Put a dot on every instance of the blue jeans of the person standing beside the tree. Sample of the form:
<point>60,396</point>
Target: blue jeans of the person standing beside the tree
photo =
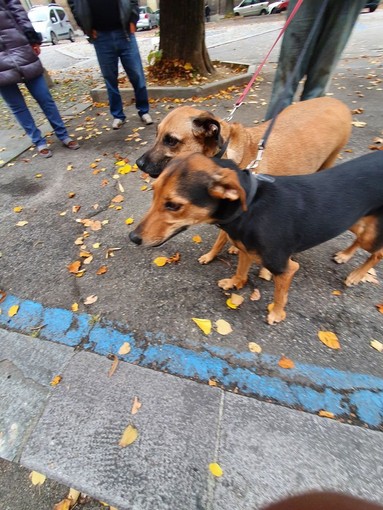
<point>111,46</point>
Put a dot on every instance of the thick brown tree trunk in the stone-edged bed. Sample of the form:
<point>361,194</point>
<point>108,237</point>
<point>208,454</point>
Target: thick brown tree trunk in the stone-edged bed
<point>182,34</point>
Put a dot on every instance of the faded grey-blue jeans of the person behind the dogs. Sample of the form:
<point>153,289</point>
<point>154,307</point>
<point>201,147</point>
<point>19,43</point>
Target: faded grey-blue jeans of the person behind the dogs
<point>321,57</point>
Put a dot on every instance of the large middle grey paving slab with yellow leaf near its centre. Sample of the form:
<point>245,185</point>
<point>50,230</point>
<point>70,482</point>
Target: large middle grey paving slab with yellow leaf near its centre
<point>76,440</point>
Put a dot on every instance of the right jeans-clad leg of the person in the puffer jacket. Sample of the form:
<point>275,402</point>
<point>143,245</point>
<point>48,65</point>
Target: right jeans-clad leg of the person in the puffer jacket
<point>39,90</point>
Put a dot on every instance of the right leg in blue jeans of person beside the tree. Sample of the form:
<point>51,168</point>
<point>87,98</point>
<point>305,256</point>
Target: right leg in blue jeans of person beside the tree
<point>131,62</point>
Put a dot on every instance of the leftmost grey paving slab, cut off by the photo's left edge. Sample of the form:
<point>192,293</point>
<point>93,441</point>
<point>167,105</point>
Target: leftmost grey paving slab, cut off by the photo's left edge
<point>27,366</point>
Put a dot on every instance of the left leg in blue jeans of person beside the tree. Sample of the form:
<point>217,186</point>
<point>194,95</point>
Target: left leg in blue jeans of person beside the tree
<point>107,55</point>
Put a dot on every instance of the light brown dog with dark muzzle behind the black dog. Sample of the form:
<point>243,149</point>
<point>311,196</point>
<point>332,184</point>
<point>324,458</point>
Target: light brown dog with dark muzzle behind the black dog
<point>306,137</point>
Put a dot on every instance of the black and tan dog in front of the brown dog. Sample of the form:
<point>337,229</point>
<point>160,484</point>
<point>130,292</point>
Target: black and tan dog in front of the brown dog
<point>271,218</point>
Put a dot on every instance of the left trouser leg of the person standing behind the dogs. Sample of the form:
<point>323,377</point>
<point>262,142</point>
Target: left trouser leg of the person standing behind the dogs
<point>292,43</point>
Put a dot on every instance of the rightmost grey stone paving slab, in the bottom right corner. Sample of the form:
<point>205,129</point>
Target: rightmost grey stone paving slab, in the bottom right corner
<point>268,453</point>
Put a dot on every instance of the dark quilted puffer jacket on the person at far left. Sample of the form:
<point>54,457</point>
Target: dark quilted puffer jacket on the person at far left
<point>18,61</point>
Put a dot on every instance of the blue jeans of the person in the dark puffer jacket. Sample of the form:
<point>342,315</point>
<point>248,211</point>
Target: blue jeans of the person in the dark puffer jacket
<point>39,90</point>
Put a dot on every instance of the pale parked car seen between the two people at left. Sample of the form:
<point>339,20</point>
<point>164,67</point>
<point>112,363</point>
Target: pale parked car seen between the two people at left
<point>52,23</point>
